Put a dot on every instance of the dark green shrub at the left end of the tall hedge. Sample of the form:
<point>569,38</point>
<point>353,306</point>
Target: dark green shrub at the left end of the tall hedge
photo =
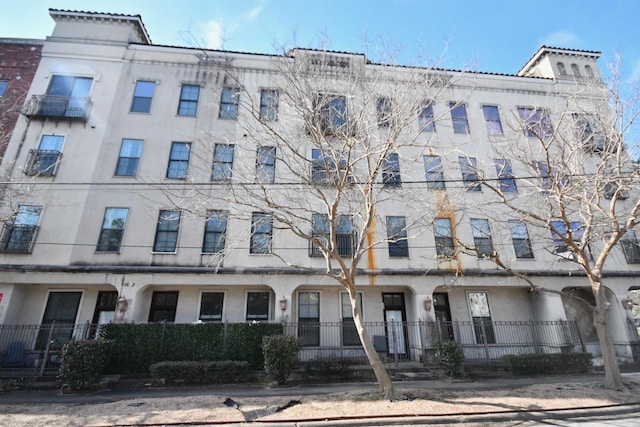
<point>83,363</point>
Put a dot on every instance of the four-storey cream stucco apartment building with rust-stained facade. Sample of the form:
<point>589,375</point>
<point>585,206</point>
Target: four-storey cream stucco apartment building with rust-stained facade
<point>136,168</point>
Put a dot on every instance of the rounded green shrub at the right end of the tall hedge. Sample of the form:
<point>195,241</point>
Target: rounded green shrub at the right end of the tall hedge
<point>280,356</point>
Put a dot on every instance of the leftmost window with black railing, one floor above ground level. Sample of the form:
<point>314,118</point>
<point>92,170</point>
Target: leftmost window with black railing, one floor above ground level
<point>20,236</point>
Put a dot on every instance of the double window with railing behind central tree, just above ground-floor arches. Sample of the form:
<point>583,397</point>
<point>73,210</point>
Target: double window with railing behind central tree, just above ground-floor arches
<point>321,231</point>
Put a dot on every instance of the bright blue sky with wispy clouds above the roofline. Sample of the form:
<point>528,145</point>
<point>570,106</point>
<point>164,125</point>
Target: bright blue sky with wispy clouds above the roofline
<point>495,36</point>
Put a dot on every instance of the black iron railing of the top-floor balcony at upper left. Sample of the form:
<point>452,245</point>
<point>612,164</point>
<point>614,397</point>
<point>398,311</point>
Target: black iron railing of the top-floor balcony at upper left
<point>58,107</point>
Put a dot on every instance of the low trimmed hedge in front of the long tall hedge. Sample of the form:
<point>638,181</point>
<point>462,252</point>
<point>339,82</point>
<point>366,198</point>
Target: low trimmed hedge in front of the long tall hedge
<point>200,372</point>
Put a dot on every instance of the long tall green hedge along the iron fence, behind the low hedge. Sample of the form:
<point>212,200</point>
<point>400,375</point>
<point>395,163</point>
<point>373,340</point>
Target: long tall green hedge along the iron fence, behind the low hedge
<point>137,346</point>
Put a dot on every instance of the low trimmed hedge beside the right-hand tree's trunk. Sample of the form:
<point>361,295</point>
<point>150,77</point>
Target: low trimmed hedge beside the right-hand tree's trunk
<point>545,364</point>
